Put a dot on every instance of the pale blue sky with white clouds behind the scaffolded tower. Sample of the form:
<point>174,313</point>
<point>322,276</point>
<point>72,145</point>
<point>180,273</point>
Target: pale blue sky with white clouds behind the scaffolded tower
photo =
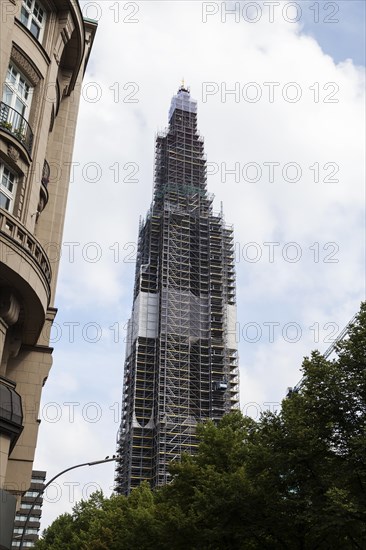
<point>280,92</point>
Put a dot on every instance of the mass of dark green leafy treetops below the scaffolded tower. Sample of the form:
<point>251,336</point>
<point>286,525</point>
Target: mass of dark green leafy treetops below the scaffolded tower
<point>292,480</point>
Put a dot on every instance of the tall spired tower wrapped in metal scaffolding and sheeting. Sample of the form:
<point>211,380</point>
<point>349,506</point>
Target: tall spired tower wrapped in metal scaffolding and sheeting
<point>181,357</point>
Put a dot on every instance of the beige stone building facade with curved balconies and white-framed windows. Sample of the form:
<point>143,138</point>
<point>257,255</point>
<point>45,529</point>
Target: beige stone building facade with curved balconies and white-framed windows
<point>36,150</point>
